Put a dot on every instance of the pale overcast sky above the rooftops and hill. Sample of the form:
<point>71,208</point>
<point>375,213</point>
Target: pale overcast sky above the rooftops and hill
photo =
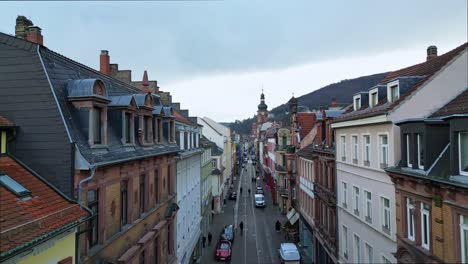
<point>214,56</point>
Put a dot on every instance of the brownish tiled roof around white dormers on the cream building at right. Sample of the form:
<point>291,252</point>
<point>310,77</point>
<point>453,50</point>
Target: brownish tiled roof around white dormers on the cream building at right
<point>420,72</point>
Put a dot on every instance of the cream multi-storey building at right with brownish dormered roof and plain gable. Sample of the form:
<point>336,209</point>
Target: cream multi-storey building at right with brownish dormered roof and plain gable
<point>368,141</point>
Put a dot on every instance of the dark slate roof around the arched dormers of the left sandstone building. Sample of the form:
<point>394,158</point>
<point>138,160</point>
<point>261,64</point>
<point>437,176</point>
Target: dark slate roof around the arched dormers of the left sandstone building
<point>60,71</point>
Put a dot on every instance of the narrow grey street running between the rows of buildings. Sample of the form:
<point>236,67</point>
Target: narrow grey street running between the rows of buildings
<point>260,241</point>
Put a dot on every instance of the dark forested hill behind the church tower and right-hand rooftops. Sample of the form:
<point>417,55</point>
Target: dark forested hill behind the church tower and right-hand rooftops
<point>343,91</point>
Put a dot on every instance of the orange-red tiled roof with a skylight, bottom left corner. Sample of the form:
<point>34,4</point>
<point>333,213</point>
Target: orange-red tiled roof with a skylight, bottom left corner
<point>26,221</point>
